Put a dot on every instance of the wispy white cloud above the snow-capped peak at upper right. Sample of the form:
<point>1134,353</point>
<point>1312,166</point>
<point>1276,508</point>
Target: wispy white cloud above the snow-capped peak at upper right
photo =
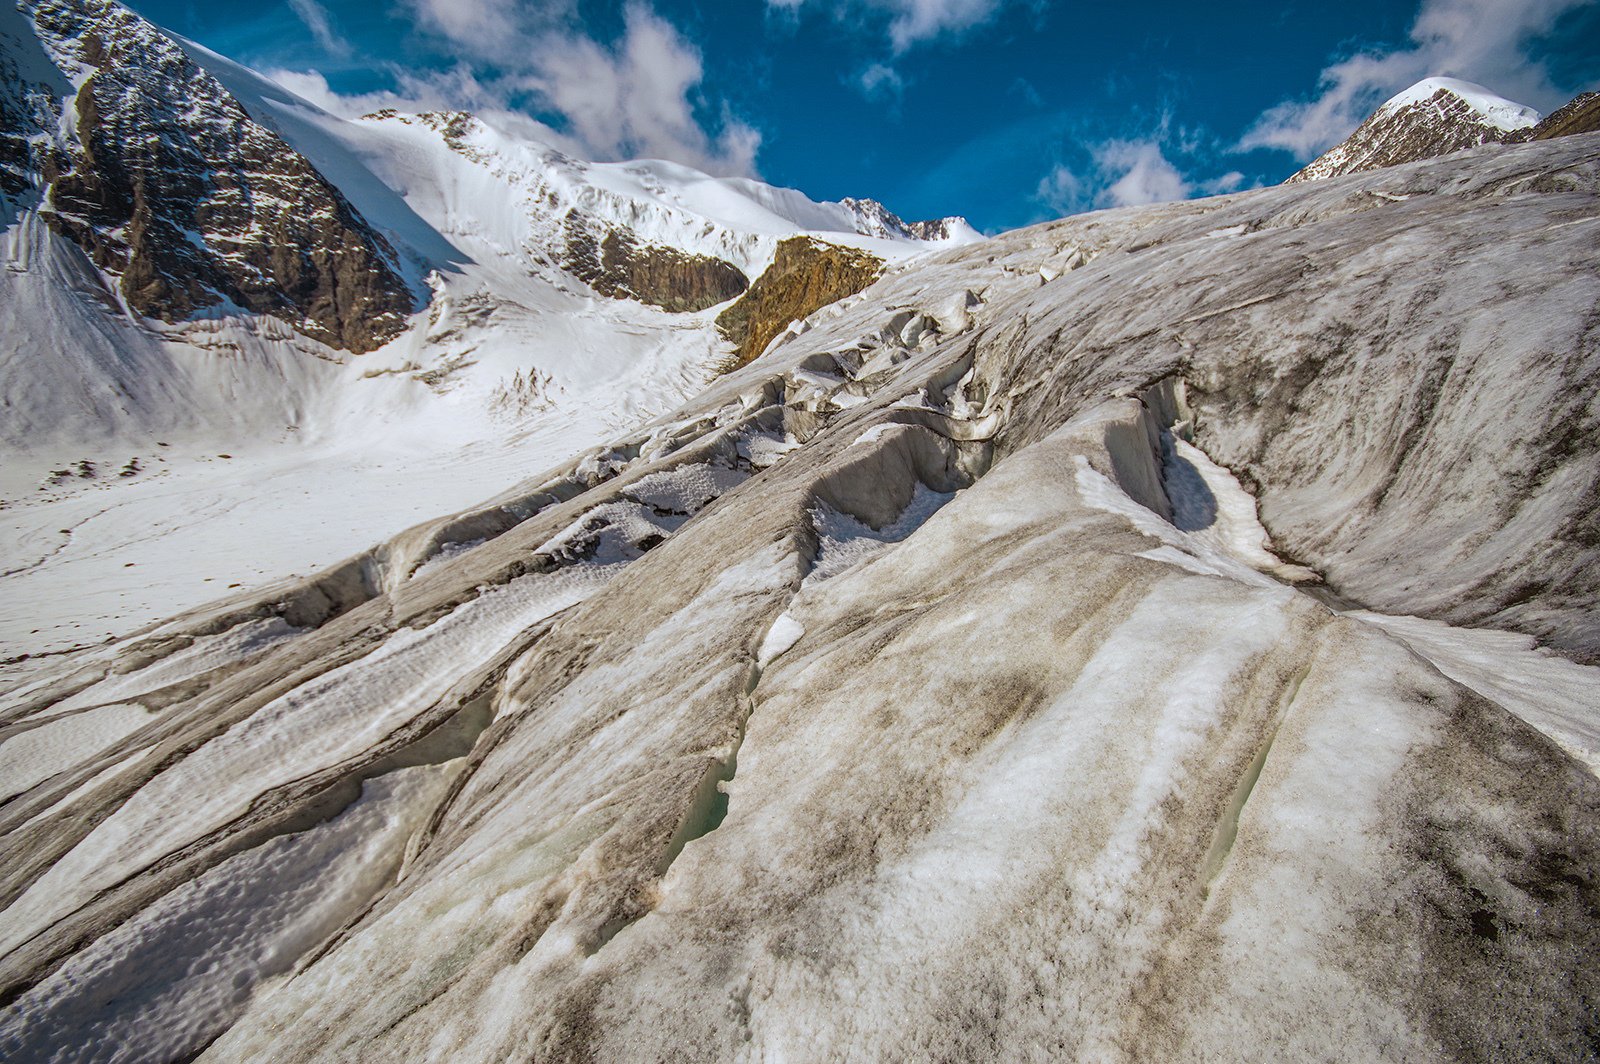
<point>1476,41</point>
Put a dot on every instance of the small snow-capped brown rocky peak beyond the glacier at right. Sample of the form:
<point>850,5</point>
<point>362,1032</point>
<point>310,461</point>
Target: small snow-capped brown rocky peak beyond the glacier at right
<point>1439,116</point>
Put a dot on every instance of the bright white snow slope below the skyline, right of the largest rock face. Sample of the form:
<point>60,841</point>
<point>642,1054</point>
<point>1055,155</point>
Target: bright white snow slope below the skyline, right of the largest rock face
<point>502,196</point>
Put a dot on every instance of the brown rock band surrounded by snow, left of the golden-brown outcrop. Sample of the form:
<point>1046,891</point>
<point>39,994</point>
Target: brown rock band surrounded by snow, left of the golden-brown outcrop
<point>620,266</point>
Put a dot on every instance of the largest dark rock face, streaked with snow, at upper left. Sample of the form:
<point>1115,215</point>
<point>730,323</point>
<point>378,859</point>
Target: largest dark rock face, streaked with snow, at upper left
<point>174,190</point>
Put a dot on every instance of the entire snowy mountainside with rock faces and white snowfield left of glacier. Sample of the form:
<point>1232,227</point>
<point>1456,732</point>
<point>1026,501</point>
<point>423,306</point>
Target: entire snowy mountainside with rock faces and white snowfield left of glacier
<point>209,282</point>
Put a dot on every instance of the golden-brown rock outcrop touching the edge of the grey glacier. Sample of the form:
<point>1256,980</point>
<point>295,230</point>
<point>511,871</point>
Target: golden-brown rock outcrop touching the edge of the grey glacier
<point>806,276</point>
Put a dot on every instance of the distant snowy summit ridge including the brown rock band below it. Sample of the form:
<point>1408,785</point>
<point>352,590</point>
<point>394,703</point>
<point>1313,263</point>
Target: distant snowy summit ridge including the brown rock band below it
<point>652,231</point>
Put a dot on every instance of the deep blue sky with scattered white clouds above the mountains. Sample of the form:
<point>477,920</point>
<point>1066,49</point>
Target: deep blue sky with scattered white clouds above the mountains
<point>1004,111</point>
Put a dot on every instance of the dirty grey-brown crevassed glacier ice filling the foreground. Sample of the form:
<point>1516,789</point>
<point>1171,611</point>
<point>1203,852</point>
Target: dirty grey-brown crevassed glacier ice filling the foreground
<point>919,694</point>
